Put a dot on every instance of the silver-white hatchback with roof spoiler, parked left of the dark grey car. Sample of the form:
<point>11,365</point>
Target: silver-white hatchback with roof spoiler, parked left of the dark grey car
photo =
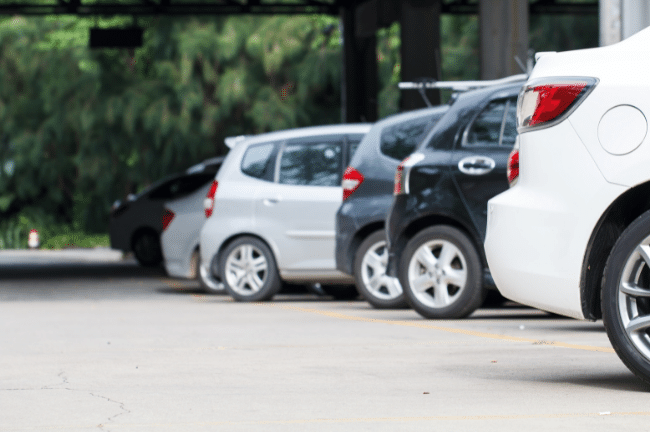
<point>271,212</point>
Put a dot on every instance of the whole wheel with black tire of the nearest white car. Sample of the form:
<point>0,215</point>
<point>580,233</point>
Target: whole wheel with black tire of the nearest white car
<point>625,297</point>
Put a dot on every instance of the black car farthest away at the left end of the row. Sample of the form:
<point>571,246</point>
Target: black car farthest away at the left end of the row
<point>135,224</point>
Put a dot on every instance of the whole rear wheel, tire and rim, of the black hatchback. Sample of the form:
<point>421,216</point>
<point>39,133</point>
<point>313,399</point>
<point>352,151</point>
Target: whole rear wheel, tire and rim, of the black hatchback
<point>441,273</point>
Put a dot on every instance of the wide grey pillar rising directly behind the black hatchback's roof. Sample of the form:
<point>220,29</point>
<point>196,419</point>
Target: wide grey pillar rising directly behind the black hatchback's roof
<point>503,35</point>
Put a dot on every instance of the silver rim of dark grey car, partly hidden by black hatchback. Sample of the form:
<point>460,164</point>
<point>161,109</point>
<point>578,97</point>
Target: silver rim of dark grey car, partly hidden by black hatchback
<point>373,273</point>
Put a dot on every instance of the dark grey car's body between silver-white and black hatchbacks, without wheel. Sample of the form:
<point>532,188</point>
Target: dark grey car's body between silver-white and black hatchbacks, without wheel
<point>364,212</point>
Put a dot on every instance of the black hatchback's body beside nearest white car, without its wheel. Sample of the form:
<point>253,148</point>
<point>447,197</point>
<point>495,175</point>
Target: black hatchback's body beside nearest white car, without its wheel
<point>443,188</point>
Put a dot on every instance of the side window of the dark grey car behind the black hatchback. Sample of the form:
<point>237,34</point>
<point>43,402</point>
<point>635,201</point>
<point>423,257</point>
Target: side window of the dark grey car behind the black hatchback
<point>400,140</point>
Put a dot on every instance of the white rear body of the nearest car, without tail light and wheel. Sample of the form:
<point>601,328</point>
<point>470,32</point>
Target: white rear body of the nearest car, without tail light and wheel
<point>569,175</point>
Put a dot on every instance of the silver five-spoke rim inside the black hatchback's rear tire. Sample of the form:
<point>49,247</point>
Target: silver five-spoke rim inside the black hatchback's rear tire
<point>437,274</point>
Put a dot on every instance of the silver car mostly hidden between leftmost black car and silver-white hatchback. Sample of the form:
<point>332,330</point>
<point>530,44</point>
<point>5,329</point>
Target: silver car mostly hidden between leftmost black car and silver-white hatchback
<point>182,220</point>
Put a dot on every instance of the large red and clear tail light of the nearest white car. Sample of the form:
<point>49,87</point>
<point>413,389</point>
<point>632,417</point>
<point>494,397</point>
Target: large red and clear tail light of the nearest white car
<point>547,102</point>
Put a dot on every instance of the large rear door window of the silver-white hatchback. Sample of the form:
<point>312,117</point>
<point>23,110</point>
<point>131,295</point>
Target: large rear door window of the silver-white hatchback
<point>311,163</point>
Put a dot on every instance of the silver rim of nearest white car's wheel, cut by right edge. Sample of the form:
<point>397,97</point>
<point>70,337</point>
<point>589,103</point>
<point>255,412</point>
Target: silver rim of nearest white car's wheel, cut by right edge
<point>634,297</point>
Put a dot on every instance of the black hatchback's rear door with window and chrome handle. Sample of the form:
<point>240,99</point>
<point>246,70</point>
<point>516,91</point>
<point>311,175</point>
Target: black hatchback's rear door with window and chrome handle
<point>480,158</point>
